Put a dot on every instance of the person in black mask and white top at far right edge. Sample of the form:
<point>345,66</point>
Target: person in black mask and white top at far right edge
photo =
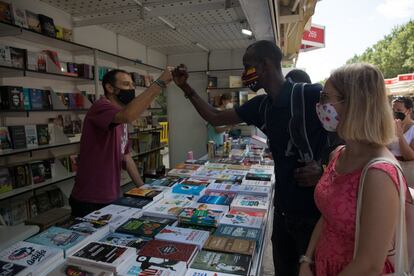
<point>403,148</point>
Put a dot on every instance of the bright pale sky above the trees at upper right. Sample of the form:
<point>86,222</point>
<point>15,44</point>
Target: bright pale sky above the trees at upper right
<point>351,26</point>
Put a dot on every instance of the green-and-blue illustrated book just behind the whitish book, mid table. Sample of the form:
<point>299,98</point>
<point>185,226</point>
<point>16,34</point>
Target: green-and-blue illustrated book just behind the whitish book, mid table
<point>200,216</point>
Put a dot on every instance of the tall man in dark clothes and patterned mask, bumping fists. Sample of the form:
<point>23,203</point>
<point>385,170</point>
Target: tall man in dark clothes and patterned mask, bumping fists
<point>295,210</point>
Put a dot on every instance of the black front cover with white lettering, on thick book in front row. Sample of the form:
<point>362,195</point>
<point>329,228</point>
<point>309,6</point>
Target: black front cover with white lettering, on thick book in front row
<point>100,252</point>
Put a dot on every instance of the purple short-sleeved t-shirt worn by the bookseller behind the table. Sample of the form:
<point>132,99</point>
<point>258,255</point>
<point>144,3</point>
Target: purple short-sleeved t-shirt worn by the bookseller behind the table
<point>102,149</point>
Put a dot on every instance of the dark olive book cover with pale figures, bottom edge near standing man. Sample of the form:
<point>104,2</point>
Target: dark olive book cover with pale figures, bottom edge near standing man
<point>222,262</point>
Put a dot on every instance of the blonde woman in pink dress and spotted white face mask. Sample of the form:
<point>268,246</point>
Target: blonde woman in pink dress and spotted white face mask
<point>354,103</point>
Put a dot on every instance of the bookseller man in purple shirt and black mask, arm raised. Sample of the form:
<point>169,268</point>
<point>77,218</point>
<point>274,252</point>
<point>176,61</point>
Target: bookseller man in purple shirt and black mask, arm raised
<point>104,147</point>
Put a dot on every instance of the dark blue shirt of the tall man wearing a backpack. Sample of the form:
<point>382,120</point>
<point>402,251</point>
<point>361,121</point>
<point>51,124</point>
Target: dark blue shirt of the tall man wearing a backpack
<point>289,197</point>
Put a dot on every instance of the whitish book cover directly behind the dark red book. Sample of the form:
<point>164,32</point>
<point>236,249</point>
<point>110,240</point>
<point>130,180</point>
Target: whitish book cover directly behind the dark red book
<point>183,235</point>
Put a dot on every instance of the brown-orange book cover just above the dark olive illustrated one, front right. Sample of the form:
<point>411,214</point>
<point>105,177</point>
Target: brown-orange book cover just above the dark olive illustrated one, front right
<point>230,245</point>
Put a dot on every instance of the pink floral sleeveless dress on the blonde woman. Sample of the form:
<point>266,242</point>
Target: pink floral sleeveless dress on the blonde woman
<point>336,198</point>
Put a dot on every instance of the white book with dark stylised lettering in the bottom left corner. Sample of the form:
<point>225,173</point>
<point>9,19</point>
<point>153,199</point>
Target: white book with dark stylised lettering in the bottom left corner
<point>37,258</point>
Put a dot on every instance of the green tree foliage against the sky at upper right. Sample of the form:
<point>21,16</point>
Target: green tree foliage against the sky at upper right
<point>394,54</point>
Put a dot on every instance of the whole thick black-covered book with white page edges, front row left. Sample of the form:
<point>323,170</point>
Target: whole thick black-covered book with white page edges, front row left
<point>106,256</point>
